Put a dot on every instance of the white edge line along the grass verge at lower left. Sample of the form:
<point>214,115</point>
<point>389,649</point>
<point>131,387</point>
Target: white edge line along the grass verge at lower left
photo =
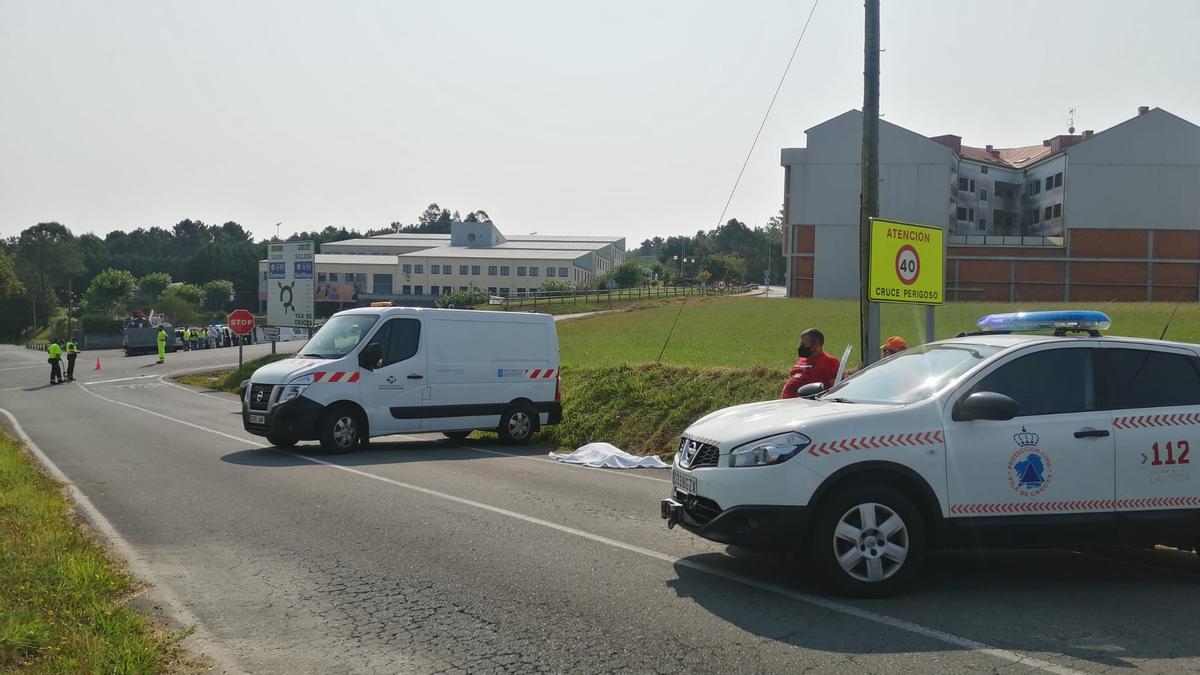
<point>171,602</point>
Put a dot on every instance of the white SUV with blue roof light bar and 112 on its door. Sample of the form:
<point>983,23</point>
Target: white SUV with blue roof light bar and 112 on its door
<point>993,439</point>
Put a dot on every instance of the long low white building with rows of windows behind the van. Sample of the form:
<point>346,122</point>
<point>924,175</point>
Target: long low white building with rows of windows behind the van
<point>421,268</point>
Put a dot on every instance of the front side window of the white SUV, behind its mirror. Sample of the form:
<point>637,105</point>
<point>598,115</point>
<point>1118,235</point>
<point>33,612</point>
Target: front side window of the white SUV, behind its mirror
<point>1048,383</point>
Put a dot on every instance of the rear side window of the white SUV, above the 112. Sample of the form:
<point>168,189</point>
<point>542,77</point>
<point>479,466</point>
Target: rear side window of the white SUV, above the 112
<point>1142,379</point>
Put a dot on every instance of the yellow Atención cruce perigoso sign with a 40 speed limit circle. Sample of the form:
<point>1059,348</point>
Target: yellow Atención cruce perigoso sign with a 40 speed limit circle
<point>907,264</point>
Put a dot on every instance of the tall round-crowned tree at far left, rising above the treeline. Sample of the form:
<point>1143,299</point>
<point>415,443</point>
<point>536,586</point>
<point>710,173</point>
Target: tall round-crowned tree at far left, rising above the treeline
<point>47,256</point>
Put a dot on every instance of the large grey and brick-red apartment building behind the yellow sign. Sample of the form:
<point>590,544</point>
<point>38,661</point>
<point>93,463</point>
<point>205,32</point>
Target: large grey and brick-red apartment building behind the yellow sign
<point>1094,217</point>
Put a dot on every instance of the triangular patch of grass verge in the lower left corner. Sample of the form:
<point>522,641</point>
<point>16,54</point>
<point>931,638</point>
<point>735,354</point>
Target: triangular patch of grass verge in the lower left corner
<point>62,599</point>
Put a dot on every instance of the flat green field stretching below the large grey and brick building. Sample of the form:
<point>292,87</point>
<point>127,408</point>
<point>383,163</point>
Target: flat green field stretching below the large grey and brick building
<point>759,332</point>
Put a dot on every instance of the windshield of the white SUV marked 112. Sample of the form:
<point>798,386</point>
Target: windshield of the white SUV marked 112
<point>910,377</point>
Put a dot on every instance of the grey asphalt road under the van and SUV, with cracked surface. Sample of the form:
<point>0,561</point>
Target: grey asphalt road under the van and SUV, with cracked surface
<point>428,555</point>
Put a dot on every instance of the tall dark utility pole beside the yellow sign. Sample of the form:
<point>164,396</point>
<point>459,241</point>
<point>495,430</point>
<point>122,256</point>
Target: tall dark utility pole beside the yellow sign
<point>868,312</point>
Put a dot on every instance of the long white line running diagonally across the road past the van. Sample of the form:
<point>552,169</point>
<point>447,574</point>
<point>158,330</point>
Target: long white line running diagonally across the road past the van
<point>817,601</point>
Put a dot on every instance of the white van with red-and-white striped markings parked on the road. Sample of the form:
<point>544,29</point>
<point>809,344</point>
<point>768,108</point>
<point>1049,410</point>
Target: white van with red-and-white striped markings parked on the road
<point>376,372</point>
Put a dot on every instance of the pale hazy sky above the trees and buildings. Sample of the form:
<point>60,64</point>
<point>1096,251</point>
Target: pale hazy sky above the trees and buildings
<point>627,118</point>
